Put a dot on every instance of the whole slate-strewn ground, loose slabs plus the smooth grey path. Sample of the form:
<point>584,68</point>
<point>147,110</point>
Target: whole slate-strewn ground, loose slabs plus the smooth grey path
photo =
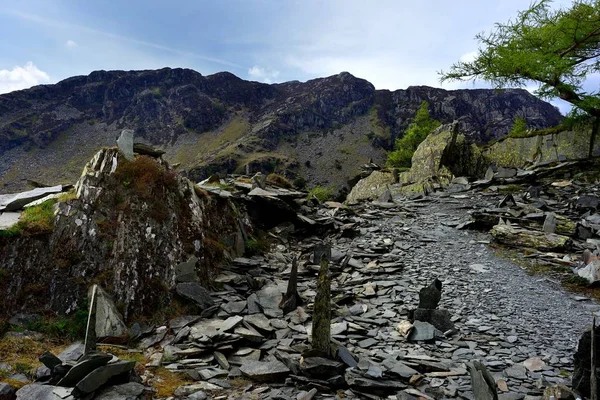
<point>523,328</point>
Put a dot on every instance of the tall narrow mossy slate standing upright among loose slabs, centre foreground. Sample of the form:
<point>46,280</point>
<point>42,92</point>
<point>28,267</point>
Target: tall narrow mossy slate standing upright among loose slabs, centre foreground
<point>321,330</point>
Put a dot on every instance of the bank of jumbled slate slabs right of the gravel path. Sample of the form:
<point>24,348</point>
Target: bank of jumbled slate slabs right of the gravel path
<point>550,210</point>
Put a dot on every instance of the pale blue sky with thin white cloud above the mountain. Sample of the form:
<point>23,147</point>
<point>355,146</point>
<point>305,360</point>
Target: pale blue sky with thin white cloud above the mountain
<point>391,43</point>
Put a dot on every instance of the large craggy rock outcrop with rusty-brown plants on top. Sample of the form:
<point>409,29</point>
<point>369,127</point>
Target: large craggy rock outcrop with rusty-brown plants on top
<point>130,225</point>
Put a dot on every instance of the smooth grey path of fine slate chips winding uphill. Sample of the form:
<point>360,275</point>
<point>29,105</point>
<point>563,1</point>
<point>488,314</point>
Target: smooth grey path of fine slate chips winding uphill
<point>503,315</point>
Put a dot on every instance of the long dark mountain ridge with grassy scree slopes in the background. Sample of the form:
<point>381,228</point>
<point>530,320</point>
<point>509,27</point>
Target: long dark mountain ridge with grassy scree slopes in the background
<point>323,129</point>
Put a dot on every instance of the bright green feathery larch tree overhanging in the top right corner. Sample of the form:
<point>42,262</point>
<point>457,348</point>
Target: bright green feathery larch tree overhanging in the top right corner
<point>556,48</point>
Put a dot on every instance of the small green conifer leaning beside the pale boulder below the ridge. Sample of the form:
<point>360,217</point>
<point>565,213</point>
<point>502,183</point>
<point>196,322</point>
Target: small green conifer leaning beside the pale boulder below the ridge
<point>417,131</point>
